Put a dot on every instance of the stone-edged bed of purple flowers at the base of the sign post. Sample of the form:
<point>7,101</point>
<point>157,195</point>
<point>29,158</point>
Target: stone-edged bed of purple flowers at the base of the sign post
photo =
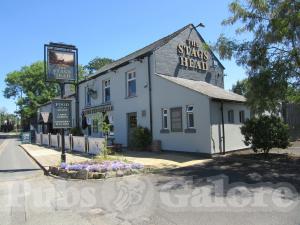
<point>94,170</point>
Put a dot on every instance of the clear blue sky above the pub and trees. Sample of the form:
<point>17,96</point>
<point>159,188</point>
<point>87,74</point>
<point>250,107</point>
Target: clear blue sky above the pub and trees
<point>110,29</point>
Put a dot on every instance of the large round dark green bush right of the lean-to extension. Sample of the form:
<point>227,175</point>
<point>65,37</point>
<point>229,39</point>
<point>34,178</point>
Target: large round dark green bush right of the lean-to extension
<point>265,132</point>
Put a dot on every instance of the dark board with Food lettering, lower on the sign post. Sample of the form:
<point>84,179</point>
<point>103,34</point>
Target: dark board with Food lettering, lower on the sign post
<point>62,113</point>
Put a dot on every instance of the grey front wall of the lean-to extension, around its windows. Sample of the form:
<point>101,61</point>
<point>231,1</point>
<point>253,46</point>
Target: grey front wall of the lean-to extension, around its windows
<point>168,95</point>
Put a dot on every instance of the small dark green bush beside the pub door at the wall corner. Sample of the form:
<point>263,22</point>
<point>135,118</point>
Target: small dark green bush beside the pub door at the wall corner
<point>141,137</point>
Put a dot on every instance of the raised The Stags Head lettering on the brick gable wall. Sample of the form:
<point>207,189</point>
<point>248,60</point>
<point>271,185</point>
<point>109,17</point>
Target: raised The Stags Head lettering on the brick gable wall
<point>191,56</point>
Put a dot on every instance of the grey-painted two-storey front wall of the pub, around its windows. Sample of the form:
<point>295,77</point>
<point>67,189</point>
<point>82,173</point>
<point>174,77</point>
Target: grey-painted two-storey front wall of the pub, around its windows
<point>121,104</point>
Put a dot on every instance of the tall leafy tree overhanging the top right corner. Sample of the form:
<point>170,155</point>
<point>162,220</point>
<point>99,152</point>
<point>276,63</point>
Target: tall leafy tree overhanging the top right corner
<point>271,51</point>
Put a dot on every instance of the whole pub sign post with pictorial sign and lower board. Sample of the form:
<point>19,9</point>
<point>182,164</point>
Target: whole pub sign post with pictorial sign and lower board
<point>61,66</point>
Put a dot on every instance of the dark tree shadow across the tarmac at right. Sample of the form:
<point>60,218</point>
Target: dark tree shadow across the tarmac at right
<point>249,170</point>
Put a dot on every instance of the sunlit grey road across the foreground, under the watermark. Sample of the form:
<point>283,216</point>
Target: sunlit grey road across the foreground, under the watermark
<point>179,197</point>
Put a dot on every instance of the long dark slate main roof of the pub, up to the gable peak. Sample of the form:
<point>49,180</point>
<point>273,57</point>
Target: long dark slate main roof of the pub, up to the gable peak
<point>139,53</point>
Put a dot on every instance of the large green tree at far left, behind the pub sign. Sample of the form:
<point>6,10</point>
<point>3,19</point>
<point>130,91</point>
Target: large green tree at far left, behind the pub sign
<point>28,86</point>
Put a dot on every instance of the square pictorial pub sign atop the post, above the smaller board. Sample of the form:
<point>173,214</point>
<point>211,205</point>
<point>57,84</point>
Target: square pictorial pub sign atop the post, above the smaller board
<point>61,63</point>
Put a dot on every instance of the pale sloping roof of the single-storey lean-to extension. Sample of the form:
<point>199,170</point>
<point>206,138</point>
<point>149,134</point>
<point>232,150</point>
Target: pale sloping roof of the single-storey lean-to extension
<point>205,89</point>
